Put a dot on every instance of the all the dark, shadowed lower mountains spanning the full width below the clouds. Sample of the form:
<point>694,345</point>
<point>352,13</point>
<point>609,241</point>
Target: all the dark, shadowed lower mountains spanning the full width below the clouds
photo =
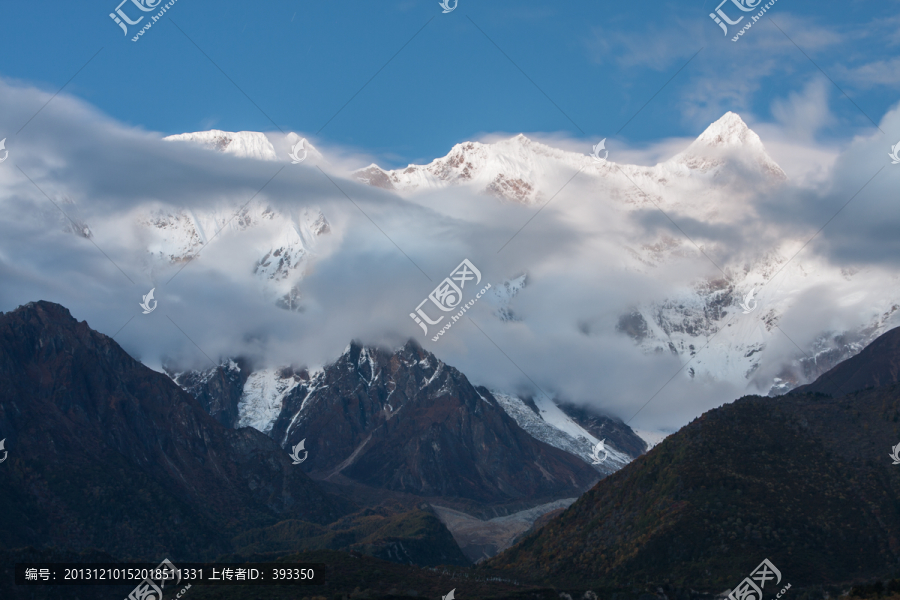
<point>99,443</point>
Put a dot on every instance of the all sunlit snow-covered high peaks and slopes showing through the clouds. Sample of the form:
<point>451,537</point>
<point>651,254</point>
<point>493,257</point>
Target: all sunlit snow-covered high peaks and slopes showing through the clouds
<point>705,183</point>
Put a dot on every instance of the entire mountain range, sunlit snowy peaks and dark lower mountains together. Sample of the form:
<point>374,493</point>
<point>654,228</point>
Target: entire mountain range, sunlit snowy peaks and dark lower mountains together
<point>412,461</point>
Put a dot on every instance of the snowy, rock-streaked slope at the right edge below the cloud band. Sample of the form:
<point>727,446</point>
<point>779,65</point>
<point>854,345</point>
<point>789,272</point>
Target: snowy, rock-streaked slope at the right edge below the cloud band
<point>711,312</point>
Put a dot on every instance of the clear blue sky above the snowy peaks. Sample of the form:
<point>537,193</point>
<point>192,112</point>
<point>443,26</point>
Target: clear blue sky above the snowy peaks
<point>598,62</point>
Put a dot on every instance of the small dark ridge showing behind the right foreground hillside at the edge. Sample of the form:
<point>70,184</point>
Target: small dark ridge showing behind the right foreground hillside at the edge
<point>877,365</point>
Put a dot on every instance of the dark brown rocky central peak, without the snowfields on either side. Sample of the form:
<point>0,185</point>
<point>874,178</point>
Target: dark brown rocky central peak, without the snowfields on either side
<point>405,421</point>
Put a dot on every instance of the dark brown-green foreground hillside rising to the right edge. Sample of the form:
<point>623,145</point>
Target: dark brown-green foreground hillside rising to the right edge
<point>804,480</point>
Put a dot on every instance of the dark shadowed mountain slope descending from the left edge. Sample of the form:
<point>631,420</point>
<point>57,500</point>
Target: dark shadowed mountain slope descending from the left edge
<point>106,453</point>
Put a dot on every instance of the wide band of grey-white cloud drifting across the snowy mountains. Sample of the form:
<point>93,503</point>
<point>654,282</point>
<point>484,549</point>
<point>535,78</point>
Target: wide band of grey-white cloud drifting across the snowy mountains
<point>362,287</point>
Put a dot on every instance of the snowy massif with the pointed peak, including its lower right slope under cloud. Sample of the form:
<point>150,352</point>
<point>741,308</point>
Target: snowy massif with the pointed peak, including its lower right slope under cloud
<point>706,183</point>
